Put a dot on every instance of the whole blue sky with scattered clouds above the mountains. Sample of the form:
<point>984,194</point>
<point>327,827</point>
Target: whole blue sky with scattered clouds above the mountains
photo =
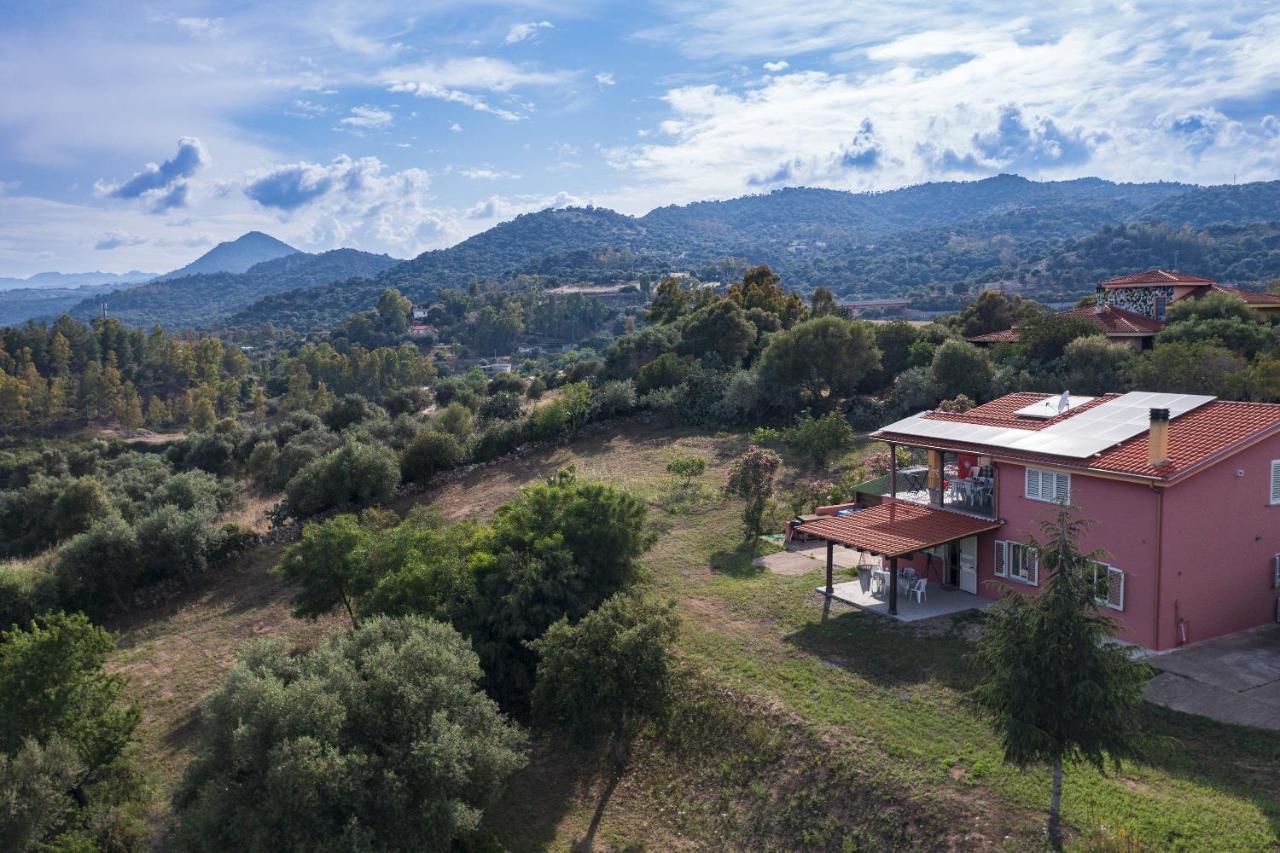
<point>136,136</point>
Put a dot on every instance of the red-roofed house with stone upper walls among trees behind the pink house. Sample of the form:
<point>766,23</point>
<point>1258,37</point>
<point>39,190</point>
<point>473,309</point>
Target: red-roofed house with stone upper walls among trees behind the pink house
<point>1131,309</point>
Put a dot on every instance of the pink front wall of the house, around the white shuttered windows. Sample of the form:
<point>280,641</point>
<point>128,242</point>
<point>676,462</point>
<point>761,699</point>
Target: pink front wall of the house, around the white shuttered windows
<point>1123,523</point>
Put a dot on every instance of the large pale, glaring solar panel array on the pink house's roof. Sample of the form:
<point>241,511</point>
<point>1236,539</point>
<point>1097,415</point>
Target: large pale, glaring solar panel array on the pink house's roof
<point>1078,437</point>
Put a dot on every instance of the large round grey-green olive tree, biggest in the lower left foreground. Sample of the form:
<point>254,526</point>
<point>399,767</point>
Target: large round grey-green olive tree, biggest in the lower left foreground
<point>378,740</point>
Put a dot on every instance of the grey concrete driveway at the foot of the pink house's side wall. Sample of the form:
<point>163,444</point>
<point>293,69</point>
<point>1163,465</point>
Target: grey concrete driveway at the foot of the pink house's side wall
<point>1232,679</point>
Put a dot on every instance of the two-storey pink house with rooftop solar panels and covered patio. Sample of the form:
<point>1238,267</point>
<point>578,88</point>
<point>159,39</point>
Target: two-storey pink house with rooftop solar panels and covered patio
<point>1182,492</point>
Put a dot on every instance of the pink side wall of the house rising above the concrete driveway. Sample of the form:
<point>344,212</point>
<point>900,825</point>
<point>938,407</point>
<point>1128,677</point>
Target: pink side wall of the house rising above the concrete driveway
<point>1220,541</point>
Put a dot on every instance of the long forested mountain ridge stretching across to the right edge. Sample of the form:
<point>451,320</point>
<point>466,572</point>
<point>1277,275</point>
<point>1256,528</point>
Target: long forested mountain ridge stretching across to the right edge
<point>935,243</point>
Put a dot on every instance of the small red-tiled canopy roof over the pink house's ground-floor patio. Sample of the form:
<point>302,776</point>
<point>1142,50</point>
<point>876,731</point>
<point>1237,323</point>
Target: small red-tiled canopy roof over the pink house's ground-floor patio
<point>897,528</point>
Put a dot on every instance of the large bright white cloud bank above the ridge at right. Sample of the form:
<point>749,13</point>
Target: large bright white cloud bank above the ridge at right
<point>1126,97</point>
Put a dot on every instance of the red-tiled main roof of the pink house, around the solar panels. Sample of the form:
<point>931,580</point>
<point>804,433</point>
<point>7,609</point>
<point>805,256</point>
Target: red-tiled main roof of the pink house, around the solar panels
<point>1195,439</point>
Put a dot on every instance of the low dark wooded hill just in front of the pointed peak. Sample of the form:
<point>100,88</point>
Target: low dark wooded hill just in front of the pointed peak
<point>205,300</point>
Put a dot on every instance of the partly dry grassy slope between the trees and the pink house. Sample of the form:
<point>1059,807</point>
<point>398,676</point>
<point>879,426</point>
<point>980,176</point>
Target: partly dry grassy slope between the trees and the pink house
<point>802,726</point>
